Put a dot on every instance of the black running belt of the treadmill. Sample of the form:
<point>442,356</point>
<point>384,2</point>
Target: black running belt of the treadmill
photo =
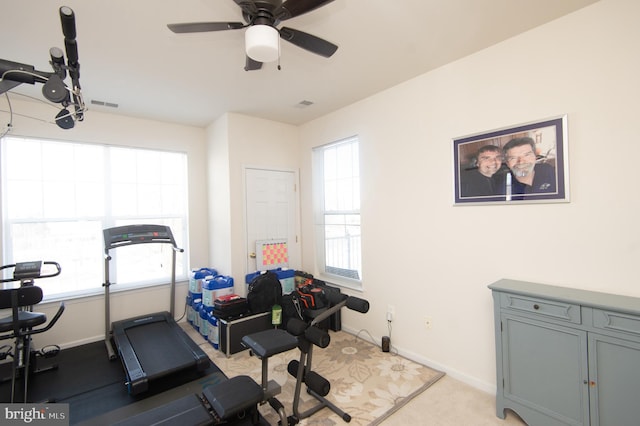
<point>159,349</point>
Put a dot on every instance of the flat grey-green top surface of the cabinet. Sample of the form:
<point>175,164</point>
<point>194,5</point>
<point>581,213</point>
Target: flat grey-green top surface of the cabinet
<point>583,297</point>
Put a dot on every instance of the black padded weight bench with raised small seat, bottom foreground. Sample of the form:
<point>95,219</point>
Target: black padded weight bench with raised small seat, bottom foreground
<point>231,400</point>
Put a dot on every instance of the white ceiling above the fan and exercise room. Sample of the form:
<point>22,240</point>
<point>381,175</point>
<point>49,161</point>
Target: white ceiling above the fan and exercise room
<point>129,57</point>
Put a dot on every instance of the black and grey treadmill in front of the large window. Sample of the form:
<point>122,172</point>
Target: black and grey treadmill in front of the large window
<point>150,346</point>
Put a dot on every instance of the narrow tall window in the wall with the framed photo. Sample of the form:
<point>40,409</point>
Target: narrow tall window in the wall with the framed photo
<point>337,207</point>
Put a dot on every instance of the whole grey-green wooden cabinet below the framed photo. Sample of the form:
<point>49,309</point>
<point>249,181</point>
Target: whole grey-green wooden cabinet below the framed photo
<point>566,356</point>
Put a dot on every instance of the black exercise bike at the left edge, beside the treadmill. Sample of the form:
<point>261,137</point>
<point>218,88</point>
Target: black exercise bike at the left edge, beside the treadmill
<point>20,324</point>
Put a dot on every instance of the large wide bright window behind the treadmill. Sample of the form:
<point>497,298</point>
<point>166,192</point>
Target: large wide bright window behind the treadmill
<point>59,196</point>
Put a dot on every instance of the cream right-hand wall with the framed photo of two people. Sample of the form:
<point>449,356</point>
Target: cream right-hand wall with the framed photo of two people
<point>428,258</point>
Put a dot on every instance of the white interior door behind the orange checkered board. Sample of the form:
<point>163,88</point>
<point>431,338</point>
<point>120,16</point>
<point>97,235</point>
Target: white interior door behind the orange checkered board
<point>271,212</point>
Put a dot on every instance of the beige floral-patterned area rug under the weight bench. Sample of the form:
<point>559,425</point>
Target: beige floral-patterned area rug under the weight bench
<point>367,383</point>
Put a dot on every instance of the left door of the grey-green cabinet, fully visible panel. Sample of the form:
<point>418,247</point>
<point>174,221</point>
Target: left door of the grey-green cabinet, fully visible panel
<point>545,370</point>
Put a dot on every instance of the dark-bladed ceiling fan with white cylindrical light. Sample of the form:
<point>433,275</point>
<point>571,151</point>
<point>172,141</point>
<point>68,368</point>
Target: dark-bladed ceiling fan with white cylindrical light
<point>262,36</point>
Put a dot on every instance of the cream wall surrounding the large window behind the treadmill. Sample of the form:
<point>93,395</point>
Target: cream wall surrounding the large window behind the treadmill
<point>83,319</point>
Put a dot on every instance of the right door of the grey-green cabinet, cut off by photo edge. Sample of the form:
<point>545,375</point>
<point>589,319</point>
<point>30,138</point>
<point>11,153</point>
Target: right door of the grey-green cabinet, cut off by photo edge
<point>614,369</point>
